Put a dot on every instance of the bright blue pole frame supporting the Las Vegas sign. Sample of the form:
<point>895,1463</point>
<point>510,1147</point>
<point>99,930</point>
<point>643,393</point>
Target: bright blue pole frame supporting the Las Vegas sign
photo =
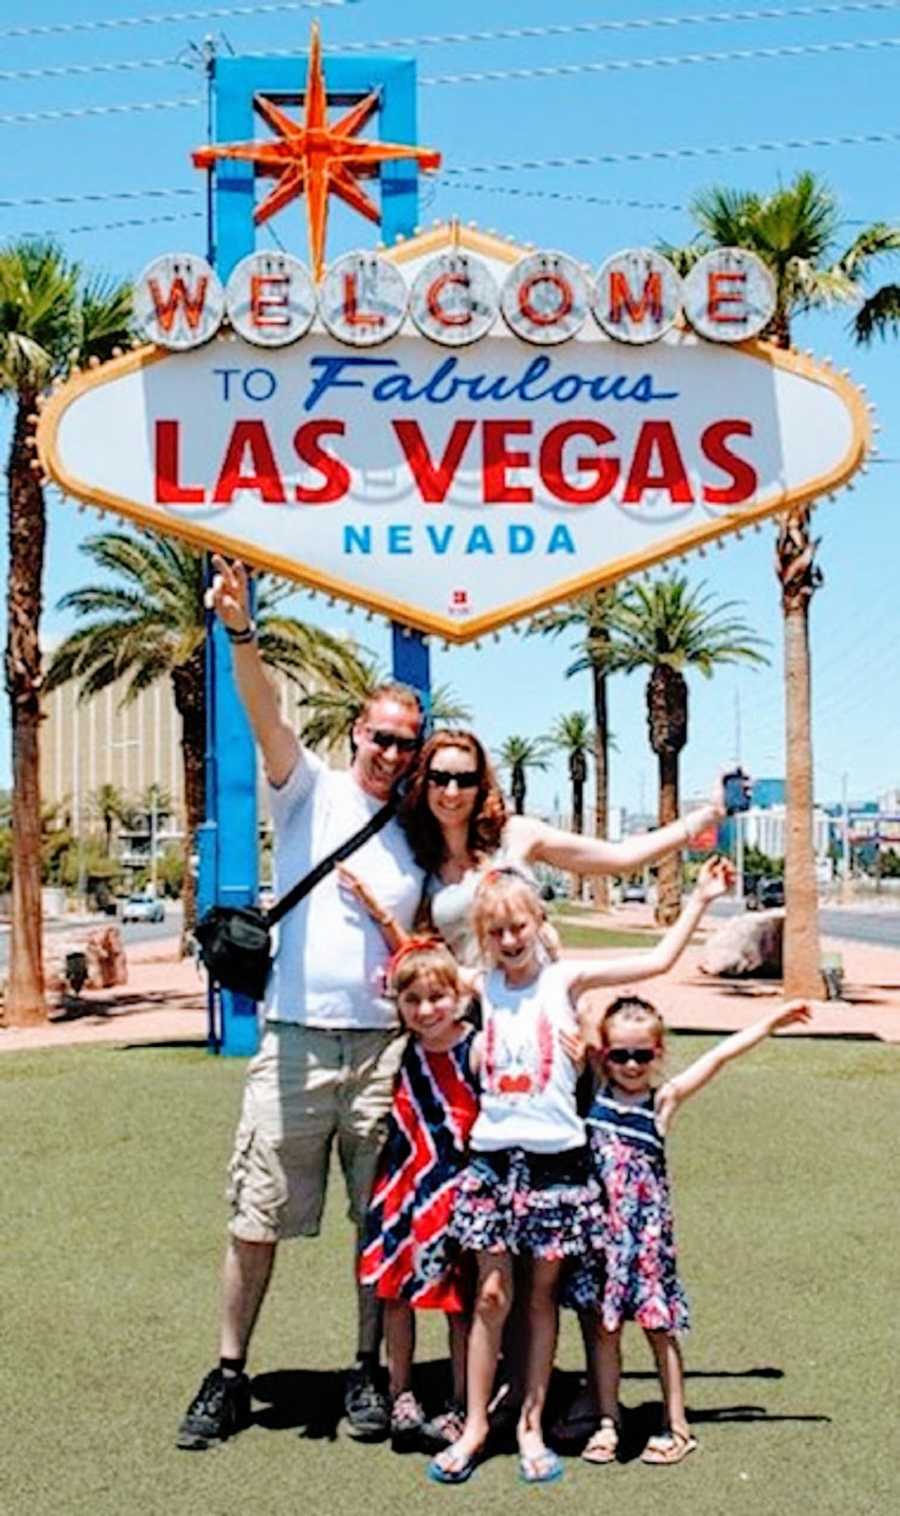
<point>228,845</point>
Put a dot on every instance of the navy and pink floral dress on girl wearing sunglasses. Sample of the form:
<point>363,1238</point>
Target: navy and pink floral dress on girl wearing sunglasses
<point>630,1160</point>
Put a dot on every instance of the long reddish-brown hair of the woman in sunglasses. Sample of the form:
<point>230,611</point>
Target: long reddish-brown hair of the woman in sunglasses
<point>489,815</point>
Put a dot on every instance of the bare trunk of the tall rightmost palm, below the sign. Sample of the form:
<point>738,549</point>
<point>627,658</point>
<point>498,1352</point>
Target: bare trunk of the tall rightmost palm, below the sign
<point>801,578</point>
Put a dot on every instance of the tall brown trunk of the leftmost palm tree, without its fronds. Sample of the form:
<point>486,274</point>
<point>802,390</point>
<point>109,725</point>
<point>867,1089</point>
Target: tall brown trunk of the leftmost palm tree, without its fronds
<point>25,989</point>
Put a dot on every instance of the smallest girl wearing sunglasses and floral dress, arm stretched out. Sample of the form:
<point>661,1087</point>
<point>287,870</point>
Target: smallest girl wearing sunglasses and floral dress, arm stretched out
<point>628,1124</point>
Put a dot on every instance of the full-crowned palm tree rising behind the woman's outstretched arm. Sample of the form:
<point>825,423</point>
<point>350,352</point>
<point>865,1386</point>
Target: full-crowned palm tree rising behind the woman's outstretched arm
<point>667,627</point>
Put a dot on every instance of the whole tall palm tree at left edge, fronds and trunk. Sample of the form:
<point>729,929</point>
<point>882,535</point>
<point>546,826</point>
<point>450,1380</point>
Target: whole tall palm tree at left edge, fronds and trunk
<point>51,316</point>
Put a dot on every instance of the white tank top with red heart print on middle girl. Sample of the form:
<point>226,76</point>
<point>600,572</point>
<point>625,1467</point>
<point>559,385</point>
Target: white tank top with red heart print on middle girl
<point>528,1080</point>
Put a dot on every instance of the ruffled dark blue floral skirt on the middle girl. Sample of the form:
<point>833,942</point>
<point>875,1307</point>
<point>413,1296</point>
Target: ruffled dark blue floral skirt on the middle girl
<point>543,1206</point>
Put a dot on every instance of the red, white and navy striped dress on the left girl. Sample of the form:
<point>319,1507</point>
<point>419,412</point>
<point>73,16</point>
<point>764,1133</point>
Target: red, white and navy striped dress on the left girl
<point>407,1250</point>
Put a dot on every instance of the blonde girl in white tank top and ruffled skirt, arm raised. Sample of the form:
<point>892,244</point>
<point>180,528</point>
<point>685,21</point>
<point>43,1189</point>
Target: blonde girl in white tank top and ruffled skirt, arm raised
<point>530,1191</point>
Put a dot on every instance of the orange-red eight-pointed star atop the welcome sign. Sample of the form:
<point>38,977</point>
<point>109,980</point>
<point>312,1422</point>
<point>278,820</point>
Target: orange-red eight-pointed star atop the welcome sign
<point>314,158</point>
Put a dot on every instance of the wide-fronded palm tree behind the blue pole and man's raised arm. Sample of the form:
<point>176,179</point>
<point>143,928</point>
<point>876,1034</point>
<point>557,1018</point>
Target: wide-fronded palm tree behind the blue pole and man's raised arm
<point>152,625</point>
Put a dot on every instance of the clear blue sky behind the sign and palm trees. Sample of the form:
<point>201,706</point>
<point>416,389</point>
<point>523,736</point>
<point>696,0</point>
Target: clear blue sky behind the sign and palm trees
<point>805,87</point>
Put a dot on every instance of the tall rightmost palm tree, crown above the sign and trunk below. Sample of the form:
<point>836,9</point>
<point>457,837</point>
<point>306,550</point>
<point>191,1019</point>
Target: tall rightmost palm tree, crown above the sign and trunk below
<point>795,231</point>
